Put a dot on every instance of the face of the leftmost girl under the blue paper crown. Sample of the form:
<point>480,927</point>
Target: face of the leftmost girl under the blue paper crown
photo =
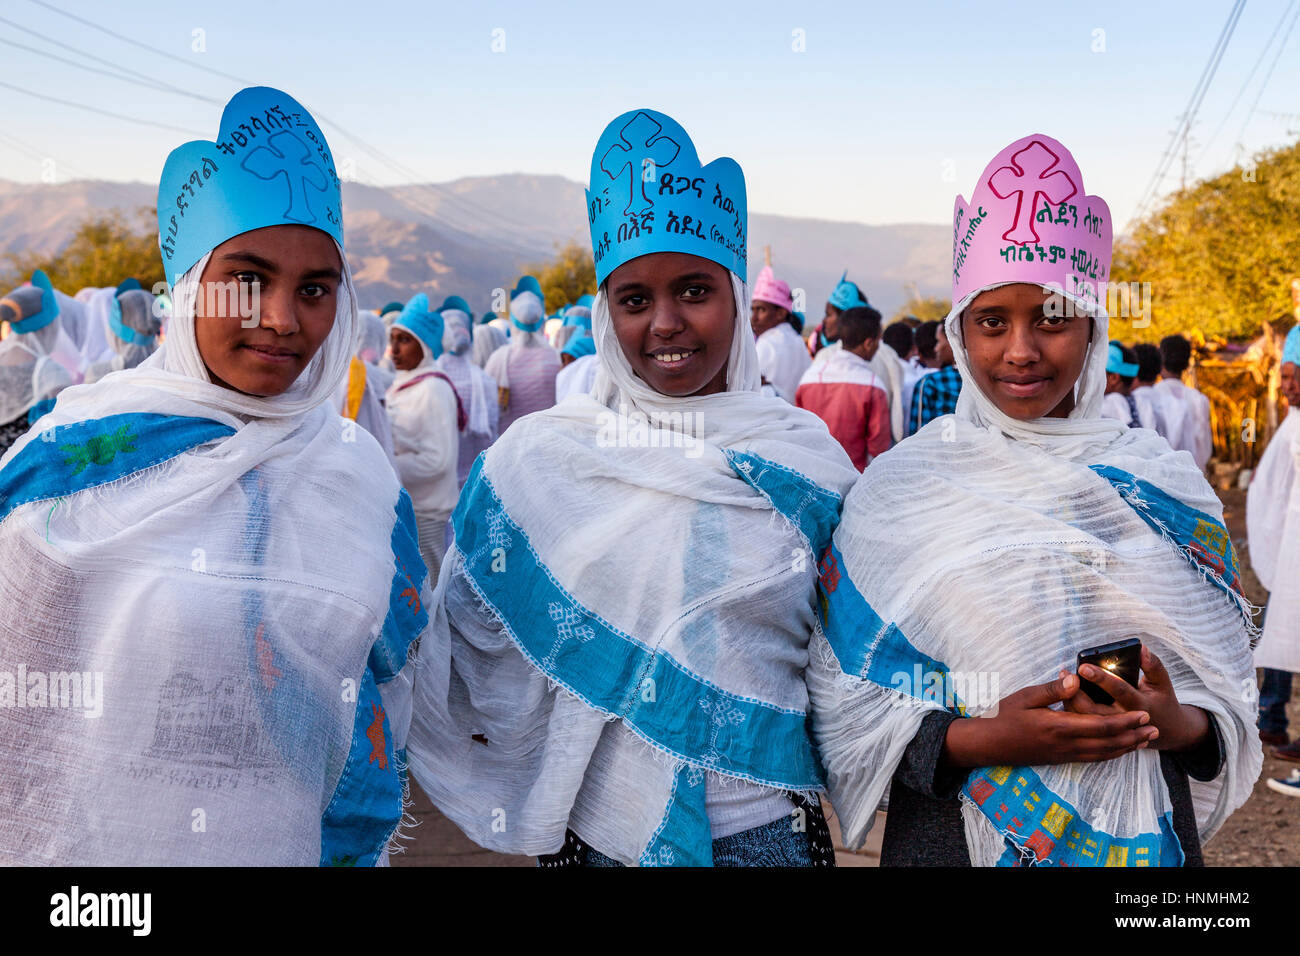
<point>267,302</point>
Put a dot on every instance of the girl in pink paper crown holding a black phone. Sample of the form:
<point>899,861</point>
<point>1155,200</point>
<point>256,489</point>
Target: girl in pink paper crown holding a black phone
<point>978,559</point>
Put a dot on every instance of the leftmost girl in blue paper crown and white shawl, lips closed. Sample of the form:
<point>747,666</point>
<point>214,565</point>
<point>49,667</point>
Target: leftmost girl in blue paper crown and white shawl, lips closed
<point>215,569</point>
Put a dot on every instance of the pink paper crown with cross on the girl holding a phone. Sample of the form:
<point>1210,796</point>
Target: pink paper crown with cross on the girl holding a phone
<point>1030,220</point>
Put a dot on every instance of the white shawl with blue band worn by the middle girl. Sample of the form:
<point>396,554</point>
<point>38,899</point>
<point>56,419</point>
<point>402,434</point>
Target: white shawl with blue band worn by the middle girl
<point>623,620</point>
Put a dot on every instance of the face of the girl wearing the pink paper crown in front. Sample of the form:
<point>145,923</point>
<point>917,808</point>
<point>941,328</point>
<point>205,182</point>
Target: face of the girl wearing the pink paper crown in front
<point>1024,360</point>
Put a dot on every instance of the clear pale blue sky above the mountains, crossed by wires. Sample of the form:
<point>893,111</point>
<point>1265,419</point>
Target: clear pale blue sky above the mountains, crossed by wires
<point>873,113</point>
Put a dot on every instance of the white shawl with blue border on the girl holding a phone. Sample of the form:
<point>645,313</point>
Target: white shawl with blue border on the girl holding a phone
<point>994,551</point>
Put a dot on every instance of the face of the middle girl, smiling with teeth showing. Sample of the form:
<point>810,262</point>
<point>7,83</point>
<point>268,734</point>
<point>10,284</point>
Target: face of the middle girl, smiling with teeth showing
<point>674,315</point>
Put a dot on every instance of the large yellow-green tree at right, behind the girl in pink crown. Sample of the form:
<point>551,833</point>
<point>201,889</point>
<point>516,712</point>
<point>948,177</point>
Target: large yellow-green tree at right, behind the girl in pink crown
<point>1219,256</point>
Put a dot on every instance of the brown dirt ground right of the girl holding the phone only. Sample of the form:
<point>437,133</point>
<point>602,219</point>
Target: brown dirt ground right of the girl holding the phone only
<point>1267,830</point>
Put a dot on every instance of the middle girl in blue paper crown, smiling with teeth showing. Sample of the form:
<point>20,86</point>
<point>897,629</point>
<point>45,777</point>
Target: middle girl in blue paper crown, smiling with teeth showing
<point>622,626</point>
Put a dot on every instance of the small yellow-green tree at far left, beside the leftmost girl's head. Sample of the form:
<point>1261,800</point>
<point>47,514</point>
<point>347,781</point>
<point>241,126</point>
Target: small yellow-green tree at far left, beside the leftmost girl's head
<point>105,250</point>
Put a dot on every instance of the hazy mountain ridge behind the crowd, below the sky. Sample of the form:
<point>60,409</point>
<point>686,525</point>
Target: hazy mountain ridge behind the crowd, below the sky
<point>475,235</point>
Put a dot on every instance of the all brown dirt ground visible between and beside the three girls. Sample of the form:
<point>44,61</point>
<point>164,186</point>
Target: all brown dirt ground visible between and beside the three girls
<point>1264,833</point>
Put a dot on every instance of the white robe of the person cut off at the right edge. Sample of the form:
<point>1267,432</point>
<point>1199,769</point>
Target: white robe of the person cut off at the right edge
<point>1273,531</point>
